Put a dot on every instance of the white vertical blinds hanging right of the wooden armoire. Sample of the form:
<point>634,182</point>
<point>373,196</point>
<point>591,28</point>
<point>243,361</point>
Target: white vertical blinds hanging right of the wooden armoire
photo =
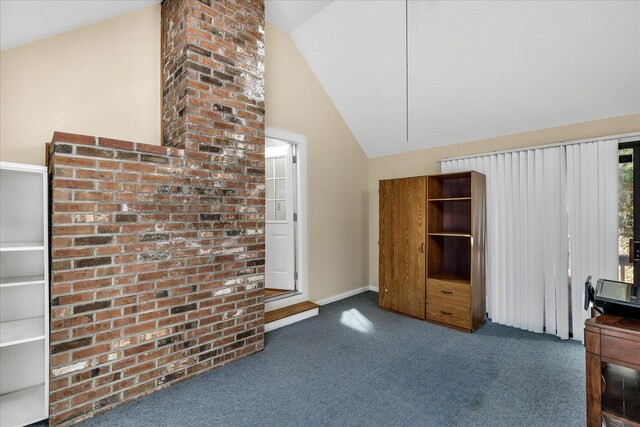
<point>535,233</point>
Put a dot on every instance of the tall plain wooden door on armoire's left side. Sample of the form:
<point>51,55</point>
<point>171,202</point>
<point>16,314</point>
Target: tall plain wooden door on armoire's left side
<point>402,245</point>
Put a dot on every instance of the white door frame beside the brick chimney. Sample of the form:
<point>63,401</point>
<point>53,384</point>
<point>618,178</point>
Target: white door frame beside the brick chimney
<point>300,226</point>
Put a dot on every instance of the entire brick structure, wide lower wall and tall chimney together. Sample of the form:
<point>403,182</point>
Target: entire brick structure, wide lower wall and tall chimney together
<point>158,252</point>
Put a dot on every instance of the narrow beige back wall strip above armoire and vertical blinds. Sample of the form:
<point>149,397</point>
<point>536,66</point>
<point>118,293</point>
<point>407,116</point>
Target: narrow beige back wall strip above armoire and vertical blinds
<point>425,162</point>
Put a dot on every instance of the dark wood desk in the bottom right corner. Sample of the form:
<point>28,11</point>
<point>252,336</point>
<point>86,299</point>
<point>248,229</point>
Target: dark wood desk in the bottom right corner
<point>613,371</point>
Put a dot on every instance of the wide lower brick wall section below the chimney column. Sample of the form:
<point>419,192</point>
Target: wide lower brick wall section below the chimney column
<point>157,269</point>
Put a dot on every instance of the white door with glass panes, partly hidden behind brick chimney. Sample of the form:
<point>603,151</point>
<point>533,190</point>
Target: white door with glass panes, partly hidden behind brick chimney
<point>280,226</point>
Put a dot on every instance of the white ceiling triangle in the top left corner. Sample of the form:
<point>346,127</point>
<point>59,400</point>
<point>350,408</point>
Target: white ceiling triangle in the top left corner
<point>25,21</point>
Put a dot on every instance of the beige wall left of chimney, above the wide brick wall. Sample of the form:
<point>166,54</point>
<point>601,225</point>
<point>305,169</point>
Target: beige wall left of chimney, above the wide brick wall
<point>103,80</point>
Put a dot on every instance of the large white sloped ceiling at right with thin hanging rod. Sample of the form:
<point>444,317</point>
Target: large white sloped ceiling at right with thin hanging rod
<point>476,69</point>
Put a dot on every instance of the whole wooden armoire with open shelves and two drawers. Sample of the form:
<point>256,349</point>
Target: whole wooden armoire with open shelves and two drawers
<point>432,248</point>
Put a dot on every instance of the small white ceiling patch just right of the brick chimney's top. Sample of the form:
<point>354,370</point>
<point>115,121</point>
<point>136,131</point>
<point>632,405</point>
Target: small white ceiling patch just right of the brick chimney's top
<point>289,15</point>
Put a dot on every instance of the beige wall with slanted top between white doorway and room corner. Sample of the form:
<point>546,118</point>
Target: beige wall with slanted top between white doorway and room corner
<point>337,169</point>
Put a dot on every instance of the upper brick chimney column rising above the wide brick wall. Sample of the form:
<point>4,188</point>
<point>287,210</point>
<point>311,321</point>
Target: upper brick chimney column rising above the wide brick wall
<point>213,66</point>
